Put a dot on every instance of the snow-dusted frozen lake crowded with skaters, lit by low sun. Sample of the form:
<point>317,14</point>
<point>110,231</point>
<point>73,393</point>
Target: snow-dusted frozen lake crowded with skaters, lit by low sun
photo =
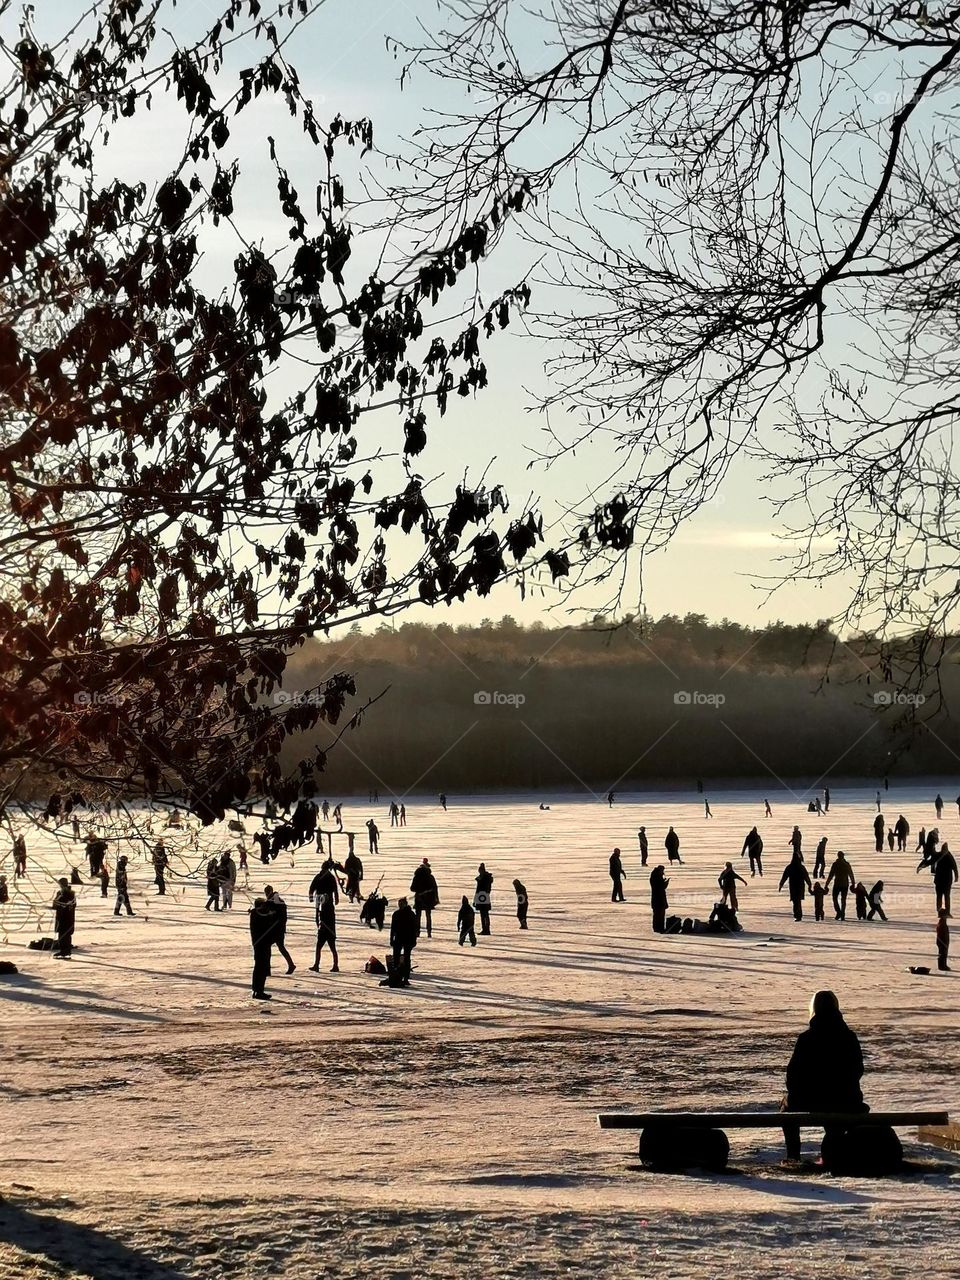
<point>451,1128</point>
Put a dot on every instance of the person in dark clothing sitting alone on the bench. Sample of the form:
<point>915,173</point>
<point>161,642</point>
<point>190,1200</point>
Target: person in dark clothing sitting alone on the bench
<point>826,1068</point>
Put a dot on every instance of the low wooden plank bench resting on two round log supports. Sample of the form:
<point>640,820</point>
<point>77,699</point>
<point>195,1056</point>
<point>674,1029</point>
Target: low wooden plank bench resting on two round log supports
<point>854,1142</point>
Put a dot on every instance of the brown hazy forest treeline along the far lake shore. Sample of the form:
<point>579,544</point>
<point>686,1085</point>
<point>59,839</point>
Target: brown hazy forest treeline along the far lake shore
<point>606,705</point>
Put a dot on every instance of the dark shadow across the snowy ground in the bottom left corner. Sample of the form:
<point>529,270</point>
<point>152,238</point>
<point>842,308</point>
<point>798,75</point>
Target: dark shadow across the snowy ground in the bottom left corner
<point>79,1247</point>
